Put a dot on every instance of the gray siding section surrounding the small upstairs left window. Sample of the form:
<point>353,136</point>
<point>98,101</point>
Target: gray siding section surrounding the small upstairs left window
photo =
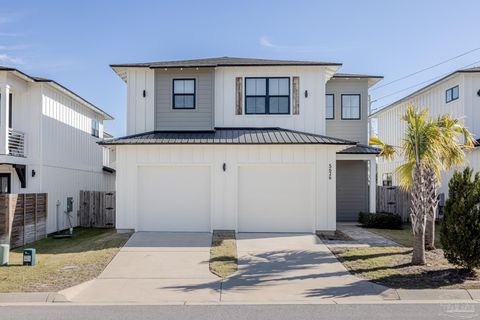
<point>201,118</point>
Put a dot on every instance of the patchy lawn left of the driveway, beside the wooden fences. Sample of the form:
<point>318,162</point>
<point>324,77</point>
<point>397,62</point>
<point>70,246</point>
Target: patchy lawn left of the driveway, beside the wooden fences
<point>62,263</point>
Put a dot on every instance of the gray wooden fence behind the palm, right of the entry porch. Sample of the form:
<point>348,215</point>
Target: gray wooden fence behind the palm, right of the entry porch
<point>395,200</point>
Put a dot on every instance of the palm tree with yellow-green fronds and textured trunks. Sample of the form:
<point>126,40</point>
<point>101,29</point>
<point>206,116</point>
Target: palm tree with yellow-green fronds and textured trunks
<point>428,147</point>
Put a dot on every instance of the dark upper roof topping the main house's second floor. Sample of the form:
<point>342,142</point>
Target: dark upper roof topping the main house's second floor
<point>225,62</point>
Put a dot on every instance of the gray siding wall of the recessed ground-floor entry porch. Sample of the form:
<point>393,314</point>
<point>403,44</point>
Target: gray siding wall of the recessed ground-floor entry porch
<point>352,189</point>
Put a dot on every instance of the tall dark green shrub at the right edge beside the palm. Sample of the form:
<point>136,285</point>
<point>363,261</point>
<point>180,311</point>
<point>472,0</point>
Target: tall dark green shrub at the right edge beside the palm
<point>460,228</point>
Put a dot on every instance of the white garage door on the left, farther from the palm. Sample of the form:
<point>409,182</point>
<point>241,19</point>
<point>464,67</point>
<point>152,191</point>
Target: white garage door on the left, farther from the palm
<point>174,198</point>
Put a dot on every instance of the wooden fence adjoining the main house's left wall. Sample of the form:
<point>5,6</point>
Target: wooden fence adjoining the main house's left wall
<point>97,209</point>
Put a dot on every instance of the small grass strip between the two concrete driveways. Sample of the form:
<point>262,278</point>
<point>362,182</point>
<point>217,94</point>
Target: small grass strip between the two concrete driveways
<point>223,254</point>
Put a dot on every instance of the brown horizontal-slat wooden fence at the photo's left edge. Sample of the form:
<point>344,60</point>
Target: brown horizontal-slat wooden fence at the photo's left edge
<point>23,218</point>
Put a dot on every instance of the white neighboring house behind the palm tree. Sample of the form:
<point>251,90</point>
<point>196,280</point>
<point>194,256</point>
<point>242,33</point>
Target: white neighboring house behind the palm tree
<point>457,94</point>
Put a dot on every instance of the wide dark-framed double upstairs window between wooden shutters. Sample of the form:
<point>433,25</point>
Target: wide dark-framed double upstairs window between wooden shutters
<point>267,95</point>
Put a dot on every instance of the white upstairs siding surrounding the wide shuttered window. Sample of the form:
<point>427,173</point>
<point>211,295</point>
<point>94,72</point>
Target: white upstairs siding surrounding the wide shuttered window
<point>312,108</point>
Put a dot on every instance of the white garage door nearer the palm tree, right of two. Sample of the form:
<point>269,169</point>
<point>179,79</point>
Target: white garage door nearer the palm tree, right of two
<point>276,199</point>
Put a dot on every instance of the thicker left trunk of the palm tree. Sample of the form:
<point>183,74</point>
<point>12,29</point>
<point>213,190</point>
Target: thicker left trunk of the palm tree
<point>418,214</point>
